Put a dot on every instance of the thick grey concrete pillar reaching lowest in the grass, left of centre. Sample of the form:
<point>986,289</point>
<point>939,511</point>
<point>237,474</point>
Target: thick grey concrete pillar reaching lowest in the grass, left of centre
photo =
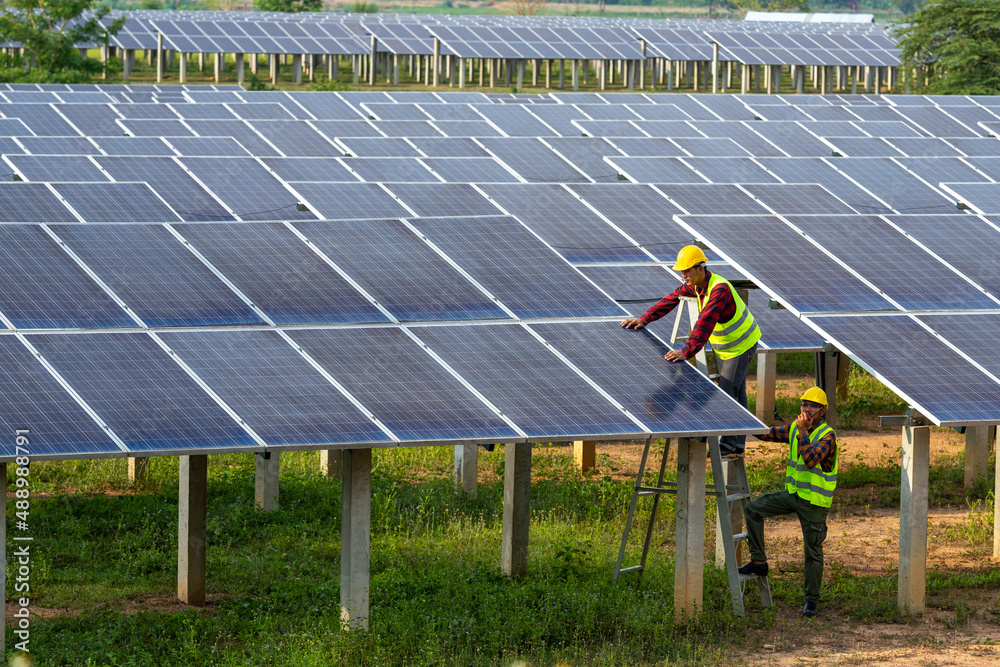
<point>355,537</point>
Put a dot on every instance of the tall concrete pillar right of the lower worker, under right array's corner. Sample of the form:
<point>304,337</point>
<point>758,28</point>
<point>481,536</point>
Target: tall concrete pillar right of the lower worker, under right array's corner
<point>913,519</point>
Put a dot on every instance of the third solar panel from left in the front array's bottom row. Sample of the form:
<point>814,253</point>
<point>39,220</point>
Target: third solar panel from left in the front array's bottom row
<point>273,388</point>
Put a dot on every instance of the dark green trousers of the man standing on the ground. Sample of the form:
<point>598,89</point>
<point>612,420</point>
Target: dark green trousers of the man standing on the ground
<point>813,521</point>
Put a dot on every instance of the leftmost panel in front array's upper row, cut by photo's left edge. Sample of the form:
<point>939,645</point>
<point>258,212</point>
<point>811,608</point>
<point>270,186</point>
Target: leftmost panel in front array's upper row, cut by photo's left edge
<point>43,288</point>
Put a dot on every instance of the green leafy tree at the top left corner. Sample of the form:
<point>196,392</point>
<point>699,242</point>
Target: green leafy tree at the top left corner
<point>49,32</point>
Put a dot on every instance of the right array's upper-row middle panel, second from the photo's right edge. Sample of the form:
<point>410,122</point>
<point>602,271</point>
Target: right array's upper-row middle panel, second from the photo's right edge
<point>912,278</point>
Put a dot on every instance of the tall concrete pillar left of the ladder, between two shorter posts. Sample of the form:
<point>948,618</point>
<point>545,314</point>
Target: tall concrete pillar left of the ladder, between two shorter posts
<point>516,517</point>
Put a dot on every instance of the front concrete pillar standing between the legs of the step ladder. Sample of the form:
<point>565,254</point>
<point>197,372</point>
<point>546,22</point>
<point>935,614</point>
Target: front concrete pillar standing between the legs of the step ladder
<point>690,557</point>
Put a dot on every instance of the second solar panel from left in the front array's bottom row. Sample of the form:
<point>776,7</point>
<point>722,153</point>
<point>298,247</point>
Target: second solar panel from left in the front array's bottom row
<point>149,401</point>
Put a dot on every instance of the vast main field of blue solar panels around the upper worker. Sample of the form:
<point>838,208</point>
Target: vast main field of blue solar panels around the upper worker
<point>299,270</point>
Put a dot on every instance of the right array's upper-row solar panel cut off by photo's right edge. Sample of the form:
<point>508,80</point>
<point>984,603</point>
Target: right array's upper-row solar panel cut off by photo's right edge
<point>977,260</point>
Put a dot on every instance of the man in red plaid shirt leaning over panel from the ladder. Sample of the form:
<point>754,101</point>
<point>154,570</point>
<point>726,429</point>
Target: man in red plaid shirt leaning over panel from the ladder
<point>723,320</point>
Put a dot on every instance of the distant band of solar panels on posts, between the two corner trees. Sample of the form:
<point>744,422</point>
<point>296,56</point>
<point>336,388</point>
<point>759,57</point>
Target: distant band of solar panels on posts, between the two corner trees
<point>542,37</point>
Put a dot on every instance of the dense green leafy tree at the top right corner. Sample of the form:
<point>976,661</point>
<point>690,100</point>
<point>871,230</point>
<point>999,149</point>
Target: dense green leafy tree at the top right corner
<point>953,47</point>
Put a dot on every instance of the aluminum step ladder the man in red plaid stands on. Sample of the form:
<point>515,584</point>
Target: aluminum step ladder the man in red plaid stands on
<point>730,487</point>
